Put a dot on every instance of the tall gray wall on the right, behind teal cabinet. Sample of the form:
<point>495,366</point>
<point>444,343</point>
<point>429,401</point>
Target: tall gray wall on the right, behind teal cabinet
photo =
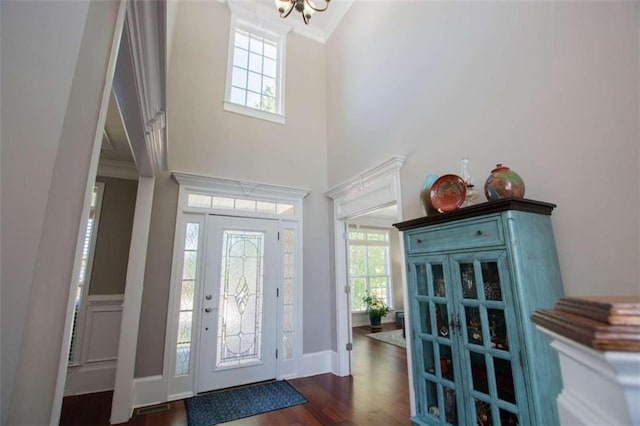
<point>548,88</point>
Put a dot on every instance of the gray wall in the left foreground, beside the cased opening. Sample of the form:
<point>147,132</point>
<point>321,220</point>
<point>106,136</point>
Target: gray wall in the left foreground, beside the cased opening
<point>54,58</point>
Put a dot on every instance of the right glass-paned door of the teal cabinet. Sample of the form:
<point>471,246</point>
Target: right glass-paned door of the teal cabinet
<point>489,351</point>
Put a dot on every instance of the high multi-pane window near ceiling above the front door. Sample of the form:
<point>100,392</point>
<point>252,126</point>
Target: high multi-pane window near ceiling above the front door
<point>255,71</point>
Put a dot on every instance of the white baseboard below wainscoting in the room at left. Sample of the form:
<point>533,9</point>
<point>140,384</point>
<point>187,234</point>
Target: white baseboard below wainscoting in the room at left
<point>84,379</point>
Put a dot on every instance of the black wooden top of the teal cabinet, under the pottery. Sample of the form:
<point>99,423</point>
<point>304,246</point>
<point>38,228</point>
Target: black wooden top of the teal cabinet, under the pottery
<point>521,204</point>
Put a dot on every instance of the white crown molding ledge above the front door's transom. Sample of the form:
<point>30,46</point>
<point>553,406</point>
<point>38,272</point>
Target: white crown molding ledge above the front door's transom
<point>241,188</point>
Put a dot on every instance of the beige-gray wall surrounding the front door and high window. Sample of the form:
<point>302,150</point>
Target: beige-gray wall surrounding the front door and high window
<point>204,139</point>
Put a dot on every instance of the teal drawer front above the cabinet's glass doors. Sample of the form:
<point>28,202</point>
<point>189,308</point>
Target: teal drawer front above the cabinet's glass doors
<point>459,236</point>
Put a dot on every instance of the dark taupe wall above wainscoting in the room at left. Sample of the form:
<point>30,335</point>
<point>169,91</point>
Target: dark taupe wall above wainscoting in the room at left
<point>111,256</point>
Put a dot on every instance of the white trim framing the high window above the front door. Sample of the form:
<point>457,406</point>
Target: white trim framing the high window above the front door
<point>274,30</point>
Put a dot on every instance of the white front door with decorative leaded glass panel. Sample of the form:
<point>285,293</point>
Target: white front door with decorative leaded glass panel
<point>239,307</point>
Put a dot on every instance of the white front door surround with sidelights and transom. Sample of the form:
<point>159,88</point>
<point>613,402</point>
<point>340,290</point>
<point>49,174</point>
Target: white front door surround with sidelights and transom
<point>199,198</point>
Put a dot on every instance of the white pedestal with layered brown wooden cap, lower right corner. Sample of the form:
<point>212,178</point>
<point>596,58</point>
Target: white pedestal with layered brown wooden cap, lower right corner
<point>598,343</point>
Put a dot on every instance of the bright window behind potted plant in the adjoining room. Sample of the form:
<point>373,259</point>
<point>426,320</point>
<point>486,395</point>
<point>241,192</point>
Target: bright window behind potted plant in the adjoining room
<point>369,266</point>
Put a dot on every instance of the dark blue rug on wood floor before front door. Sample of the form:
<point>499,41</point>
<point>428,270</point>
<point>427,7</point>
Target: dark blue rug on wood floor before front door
<point>224,406</point>
